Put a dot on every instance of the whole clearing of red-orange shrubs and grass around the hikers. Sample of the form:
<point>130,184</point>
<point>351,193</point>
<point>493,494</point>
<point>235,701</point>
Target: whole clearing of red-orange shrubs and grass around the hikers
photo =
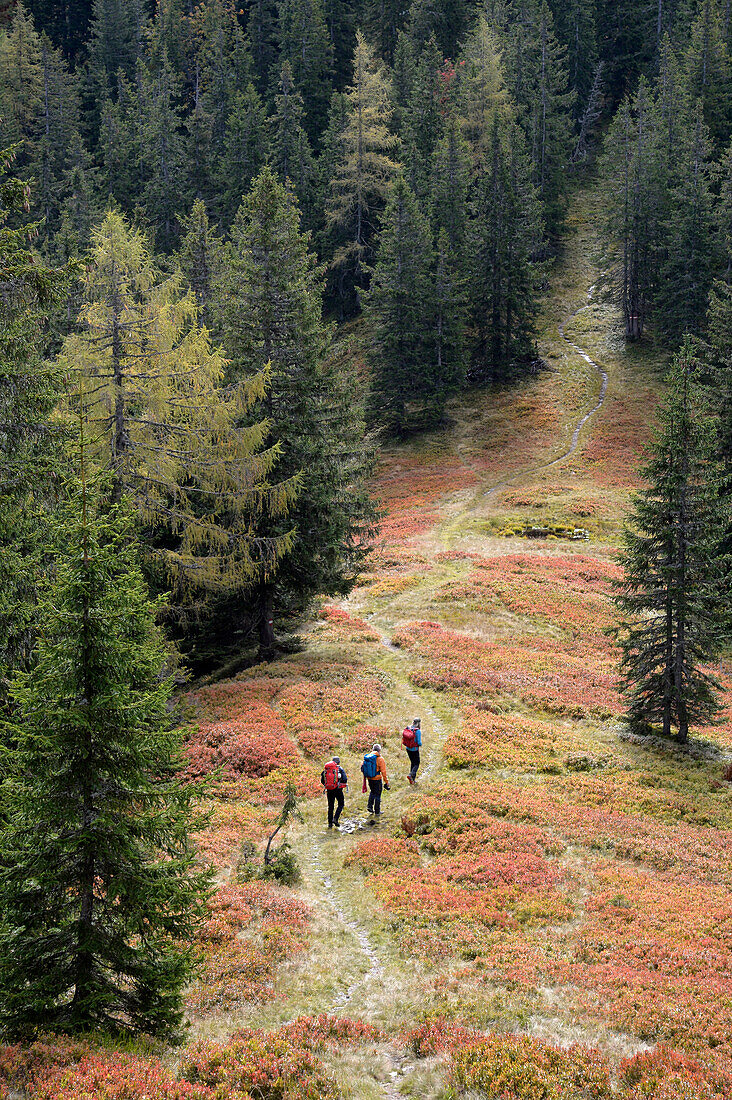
<point>550,912</point>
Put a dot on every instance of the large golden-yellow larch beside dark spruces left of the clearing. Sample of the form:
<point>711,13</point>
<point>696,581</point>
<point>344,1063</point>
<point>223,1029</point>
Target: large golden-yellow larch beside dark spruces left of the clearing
<point>162,425</point>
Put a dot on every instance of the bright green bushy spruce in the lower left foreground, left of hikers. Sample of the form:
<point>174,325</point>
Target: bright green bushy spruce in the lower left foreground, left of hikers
<point>100,889</point>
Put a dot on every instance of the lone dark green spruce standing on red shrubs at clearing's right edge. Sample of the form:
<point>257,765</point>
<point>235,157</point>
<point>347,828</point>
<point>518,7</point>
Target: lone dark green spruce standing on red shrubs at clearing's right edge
<point>670,607</point>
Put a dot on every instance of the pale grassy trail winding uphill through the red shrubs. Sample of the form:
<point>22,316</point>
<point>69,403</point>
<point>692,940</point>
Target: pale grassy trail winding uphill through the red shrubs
<point>374,980</point>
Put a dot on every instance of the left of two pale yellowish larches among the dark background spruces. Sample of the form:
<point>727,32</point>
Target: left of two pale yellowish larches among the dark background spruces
<point>365,172</point>
